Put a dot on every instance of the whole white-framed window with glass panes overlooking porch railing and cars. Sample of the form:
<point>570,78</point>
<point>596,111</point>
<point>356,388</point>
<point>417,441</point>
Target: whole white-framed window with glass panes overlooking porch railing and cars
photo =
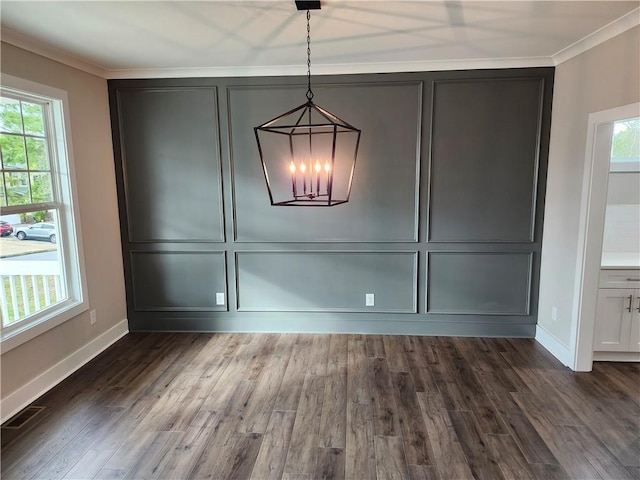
<point>41,267</point>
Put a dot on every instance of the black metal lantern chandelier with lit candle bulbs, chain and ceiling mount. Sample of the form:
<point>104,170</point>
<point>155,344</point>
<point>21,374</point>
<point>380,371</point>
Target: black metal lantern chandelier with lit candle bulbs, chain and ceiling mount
<point>308,155</point>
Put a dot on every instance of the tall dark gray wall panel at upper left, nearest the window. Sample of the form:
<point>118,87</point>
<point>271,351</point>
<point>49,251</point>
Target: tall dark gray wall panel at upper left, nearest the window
<point>171,158</point>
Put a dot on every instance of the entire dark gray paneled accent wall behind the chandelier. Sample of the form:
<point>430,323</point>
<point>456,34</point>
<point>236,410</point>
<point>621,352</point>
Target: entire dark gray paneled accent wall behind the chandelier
<point>443,226</point>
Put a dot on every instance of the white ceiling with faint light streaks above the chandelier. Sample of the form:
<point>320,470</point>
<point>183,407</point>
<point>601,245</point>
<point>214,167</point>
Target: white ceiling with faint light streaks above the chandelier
<point>119,39</point>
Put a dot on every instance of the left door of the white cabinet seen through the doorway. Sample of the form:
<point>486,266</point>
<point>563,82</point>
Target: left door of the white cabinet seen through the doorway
<point>613,319</point>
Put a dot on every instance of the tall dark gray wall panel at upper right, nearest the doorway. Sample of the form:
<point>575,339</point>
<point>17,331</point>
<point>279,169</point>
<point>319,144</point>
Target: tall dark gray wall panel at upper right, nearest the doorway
<point>484,160</point>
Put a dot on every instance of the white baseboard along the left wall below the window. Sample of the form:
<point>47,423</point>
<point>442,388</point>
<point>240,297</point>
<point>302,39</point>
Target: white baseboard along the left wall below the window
<point>16,401</point>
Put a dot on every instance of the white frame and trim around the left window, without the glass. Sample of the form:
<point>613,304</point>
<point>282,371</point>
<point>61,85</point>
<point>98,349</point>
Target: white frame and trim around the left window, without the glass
<point>70,249</point>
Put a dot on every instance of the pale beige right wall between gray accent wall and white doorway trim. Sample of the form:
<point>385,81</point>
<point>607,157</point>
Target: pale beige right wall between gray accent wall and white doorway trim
<point>604,77</point>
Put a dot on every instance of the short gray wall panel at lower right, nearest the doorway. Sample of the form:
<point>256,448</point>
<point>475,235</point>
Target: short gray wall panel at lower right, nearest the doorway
<point>482,286</point>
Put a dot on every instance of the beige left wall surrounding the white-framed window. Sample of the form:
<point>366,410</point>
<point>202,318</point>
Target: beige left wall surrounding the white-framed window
<point>95,178</point>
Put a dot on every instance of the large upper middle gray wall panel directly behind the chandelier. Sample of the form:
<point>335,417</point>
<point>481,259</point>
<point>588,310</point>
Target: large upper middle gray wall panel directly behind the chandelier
<point>351,222</point>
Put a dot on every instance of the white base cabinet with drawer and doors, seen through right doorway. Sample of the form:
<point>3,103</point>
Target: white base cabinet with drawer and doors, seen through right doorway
<point>618,312</point>
